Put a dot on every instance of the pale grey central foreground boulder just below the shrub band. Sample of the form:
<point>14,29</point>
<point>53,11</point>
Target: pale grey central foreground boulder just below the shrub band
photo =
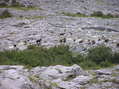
<point>58,72</point>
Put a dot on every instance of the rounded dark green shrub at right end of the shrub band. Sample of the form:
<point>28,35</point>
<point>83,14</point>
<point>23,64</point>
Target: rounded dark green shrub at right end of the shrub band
<point>100,54</point>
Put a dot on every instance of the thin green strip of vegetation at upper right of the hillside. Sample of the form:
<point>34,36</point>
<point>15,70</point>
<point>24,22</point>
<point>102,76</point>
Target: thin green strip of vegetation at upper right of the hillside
<point>97,14</point>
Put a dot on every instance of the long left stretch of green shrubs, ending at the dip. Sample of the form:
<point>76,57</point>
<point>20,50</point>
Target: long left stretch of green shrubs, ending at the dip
<point>38,56</point>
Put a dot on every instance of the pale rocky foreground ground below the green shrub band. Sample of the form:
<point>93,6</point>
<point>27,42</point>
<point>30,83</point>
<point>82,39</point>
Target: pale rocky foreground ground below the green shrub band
<point>58,77</point>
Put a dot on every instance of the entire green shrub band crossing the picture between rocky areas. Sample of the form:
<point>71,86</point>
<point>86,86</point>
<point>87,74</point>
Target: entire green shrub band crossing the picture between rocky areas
<point>97,57</point>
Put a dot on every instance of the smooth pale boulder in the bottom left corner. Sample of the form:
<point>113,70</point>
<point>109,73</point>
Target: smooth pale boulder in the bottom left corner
<point>14,77</point>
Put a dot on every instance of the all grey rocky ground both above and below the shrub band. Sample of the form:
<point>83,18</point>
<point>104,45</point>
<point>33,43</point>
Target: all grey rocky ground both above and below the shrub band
<point>45,25</point>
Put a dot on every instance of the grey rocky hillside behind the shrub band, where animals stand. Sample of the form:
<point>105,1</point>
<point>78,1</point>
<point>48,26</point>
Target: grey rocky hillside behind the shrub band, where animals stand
<point>80,24</point>
